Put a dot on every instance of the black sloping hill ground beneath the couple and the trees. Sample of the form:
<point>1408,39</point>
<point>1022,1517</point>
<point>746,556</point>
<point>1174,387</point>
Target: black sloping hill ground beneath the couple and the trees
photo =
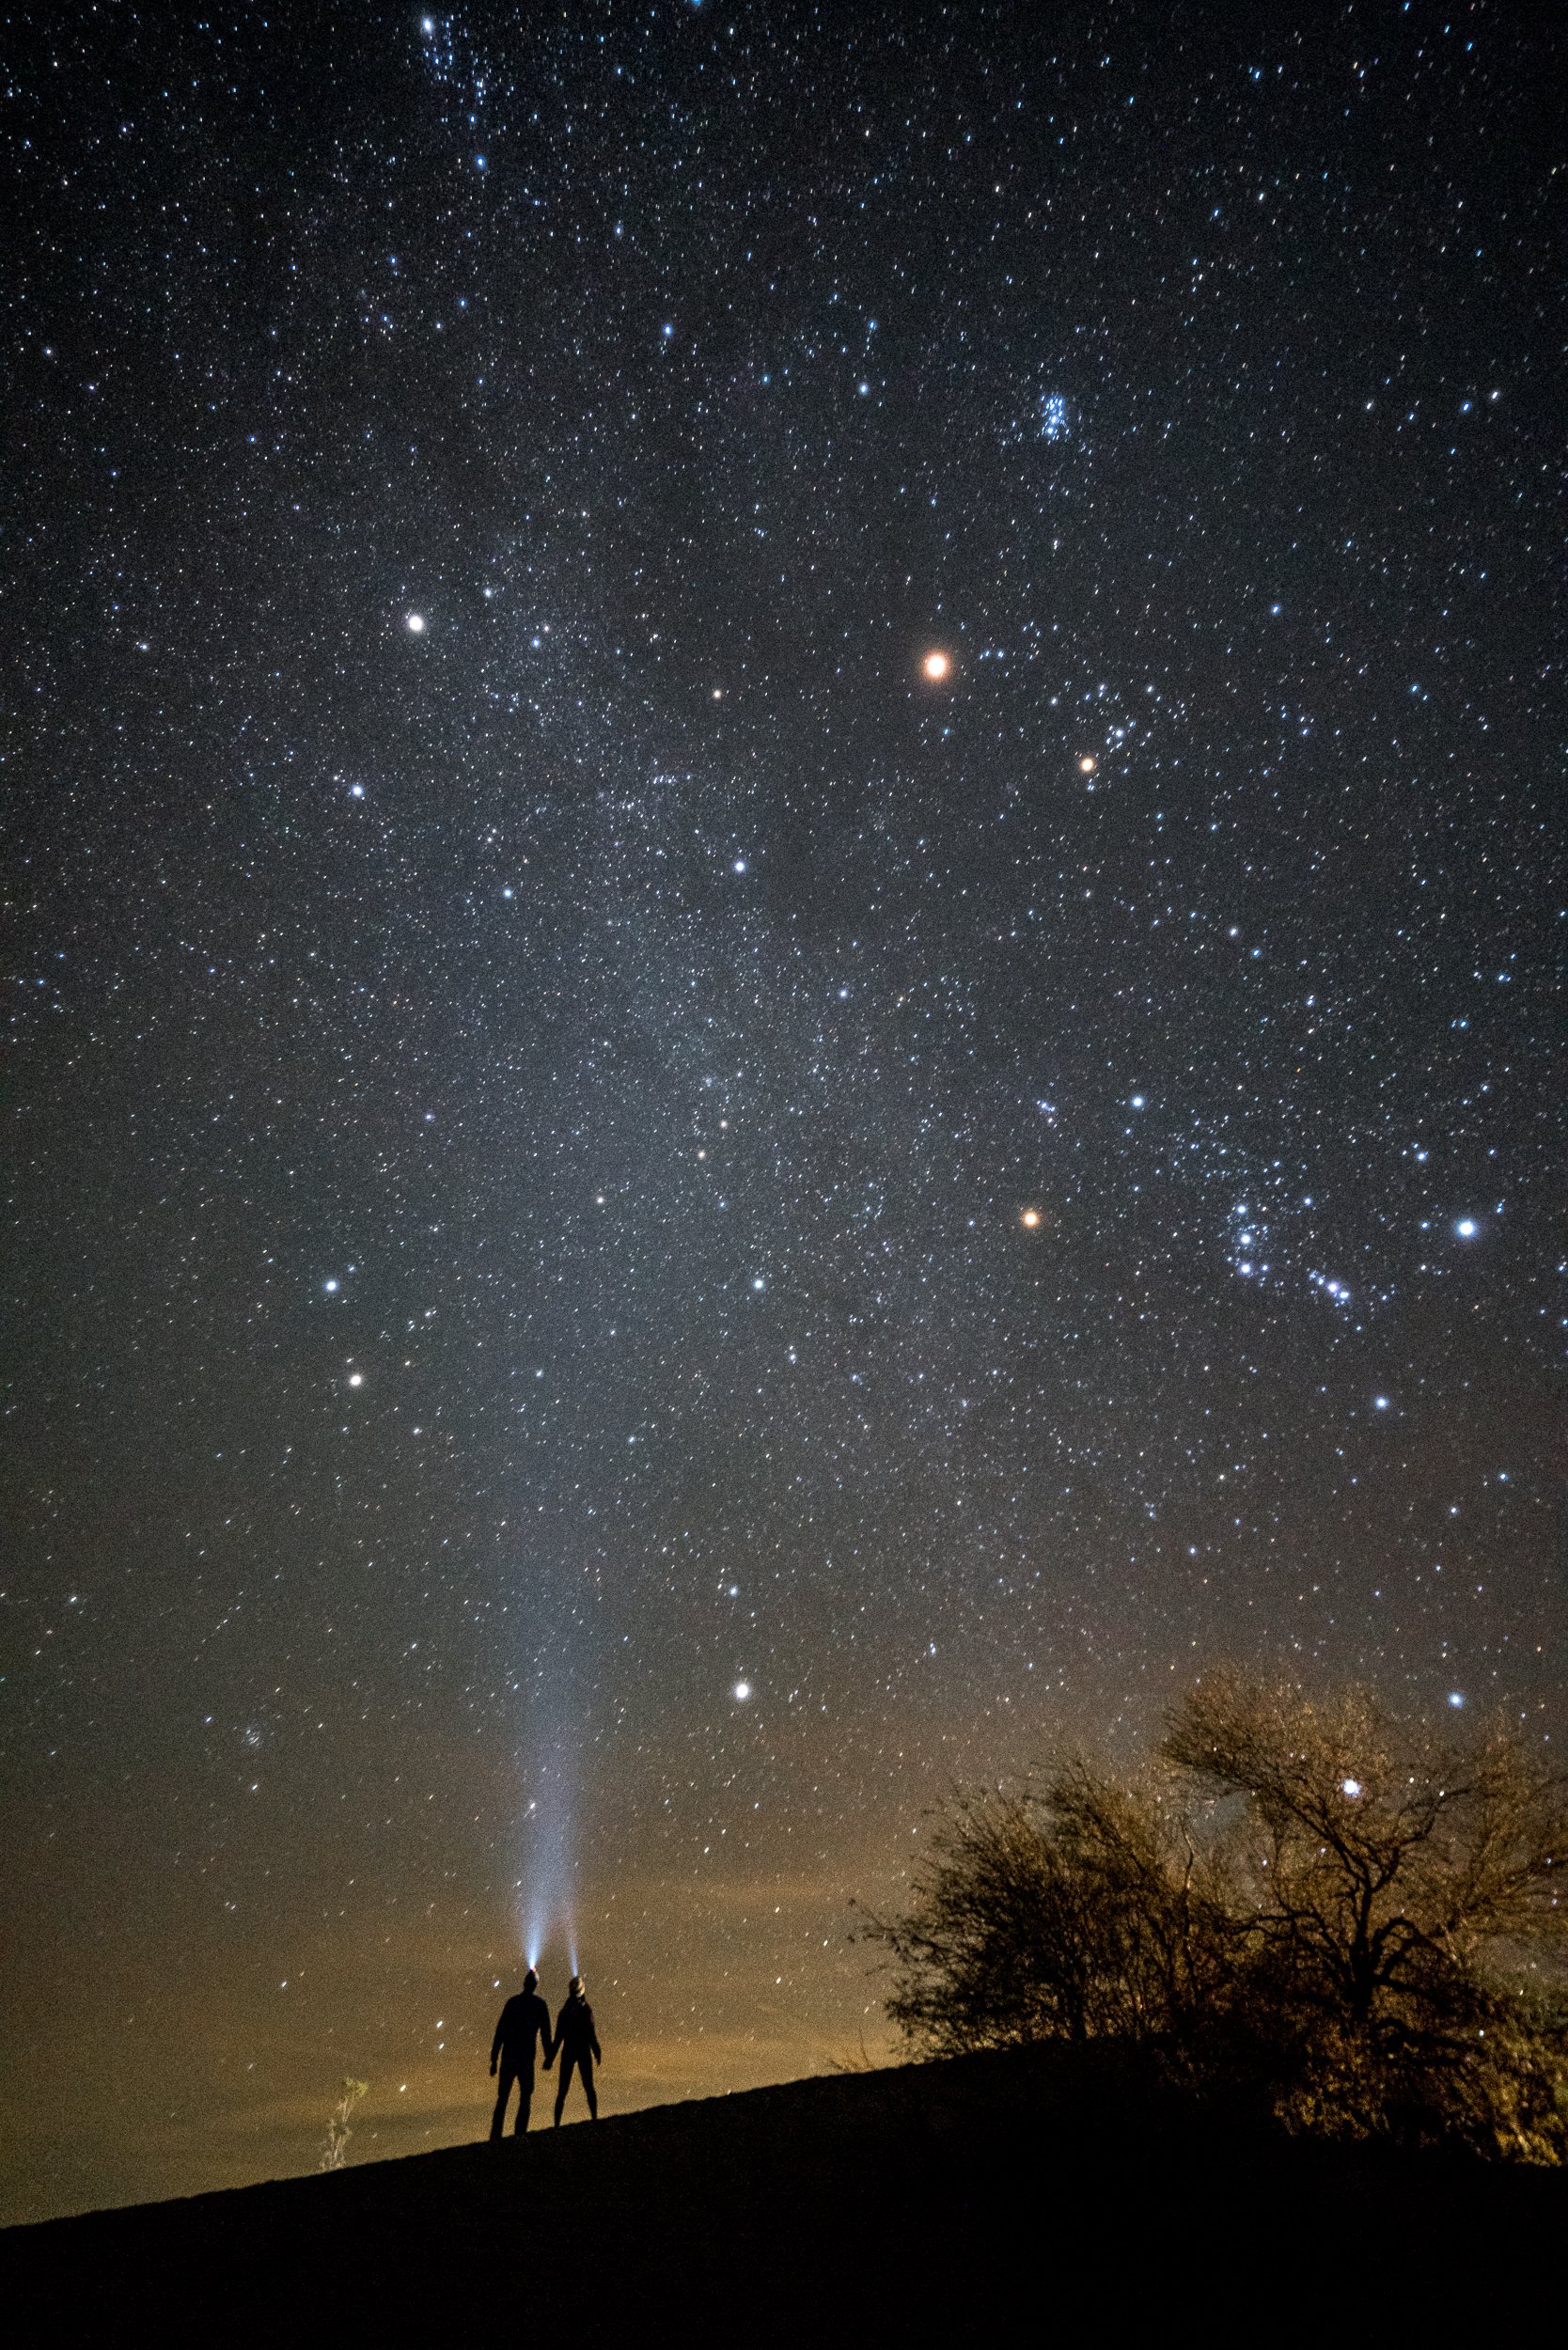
<point>1014,2196</point>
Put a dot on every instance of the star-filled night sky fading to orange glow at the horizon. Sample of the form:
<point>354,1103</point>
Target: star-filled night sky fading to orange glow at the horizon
<point>784,925</point>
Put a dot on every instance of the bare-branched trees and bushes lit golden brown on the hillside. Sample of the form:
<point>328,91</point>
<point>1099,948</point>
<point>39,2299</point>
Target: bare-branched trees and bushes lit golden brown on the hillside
<point>1301,1902</point>
